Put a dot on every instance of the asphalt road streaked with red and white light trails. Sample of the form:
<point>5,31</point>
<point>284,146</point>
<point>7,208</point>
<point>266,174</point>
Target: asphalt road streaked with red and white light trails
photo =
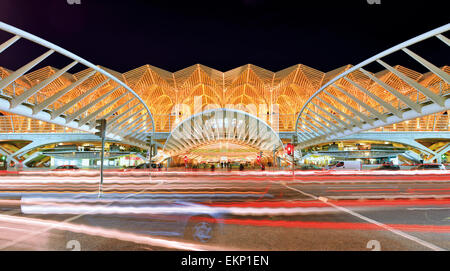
<point>250,211</point>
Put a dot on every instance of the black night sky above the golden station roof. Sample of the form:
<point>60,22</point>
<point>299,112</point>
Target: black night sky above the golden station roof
<point>224,34</point>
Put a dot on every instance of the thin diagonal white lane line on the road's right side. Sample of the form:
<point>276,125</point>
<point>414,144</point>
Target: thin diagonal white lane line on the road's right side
<point>400,233</point>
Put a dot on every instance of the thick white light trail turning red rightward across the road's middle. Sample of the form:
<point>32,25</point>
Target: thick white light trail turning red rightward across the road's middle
<point>151,206</point>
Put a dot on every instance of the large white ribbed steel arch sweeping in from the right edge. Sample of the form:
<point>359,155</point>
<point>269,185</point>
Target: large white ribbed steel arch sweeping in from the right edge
<point>333,111</point>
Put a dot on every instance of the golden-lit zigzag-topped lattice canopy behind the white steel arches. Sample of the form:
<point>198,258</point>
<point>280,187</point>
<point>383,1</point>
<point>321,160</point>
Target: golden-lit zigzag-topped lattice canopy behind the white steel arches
<point>173,97</point>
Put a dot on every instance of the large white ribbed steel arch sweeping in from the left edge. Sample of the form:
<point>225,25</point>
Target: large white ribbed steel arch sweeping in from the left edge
<point>94,95</point>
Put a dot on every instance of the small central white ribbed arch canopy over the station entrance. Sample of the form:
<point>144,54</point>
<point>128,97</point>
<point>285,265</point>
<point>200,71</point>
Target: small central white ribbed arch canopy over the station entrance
<point>222,124</point>
